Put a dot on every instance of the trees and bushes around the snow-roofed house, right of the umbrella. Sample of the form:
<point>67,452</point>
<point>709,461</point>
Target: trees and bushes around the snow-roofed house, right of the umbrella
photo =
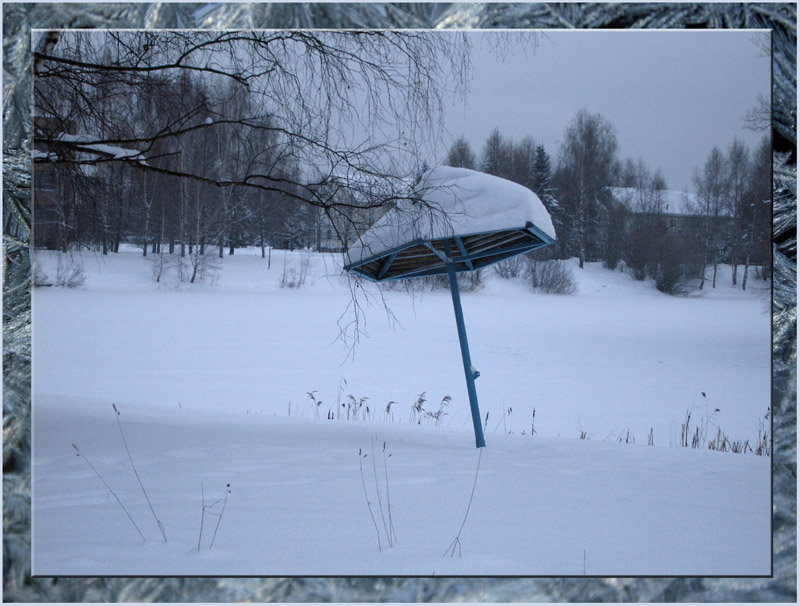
<point>727,220</point>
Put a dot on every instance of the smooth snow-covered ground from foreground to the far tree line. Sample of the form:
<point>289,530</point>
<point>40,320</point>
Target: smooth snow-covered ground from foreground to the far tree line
<point>212,381</point>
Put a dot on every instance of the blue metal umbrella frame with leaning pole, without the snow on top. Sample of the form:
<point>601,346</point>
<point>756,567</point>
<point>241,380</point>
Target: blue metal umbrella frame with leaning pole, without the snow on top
<point>451,255</point>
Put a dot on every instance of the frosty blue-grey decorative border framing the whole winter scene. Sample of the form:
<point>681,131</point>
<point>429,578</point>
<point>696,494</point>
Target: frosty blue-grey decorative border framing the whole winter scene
<point>20,19</point>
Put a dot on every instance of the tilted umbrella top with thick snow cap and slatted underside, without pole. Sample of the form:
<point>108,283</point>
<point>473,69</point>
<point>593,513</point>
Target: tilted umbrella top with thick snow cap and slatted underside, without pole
<point>457,214</point>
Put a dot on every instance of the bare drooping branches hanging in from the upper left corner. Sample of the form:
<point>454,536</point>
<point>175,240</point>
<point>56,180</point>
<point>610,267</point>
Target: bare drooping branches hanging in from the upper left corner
<point>360,103</point>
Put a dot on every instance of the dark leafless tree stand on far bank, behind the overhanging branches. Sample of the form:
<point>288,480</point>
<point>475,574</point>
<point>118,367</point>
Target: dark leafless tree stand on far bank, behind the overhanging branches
<point>115,202</point>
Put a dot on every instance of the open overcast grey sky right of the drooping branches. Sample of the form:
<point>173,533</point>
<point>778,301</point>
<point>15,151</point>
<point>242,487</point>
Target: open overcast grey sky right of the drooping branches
<point>672,96</point>
